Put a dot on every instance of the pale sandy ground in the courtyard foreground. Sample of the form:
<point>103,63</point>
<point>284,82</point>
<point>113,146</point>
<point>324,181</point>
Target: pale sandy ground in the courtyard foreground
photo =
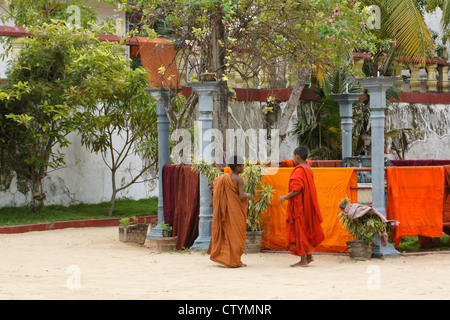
<point>91,263</point>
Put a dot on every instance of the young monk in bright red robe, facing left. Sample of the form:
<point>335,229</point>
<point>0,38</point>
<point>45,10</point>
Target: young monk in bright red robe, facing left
<point>303,216</point>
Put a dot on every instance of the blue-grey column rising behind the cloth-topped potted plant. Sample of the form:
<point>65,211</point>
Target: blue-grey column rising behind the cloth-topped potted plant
<point>377,87</point>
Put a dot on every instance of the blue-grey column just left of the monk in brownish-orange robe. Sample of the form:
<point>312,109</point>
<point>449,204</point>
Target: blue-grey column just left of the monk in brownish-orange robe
<point>205,91</point>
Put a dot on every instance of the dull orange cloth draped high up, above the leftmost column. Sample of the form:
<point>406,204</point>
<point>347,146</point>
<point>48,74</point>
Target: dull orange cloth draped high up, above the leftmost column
<point>158,58</point>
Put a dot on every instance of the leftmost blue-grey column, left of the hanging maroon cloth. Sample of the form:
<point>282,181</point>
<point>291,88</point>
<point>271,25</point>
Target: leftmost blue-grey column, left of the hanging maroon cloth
<point>162,99</point>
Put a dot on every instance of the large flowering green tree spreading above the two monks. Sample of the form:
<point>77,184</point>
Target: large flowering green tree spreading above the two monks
<point>311,35</point>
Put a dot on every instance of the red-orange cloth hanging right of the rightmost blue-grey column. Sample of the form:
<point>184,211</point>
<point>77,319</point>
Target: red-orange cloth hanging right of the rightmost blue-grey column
<point>415,197</point>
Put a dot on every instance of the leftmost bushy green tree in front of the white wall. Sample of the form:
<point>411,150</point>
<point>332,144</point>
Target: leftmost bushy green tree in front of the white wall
<point>41,112</point>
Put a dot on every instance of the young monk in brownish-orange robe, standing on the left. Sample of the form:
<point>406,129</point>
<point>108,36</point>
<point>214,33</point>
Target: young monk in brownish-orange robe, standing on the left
<point>229,225</point>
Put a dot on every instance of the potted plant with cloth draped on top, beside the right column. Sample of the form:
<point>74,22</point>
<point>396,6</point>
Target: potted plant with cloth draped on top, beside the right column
<point>363,227</point>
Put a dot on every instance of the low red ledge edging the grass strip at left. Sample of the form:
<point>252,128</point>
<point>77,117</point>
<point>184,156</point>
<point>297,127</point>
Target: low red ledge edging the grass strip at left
<point>88,223</point>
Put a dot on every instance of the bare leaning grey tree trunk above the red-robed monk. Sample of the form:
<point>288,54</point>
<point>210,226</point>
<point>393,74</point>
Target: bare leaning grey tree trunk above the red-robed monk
<point>292,102</point>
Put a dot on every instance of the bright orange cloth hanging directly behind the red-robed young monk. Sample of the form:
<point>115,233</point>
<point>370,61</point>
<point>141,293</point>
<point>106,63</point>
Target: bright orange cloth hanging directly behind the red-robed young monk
<point>332,185</point>
